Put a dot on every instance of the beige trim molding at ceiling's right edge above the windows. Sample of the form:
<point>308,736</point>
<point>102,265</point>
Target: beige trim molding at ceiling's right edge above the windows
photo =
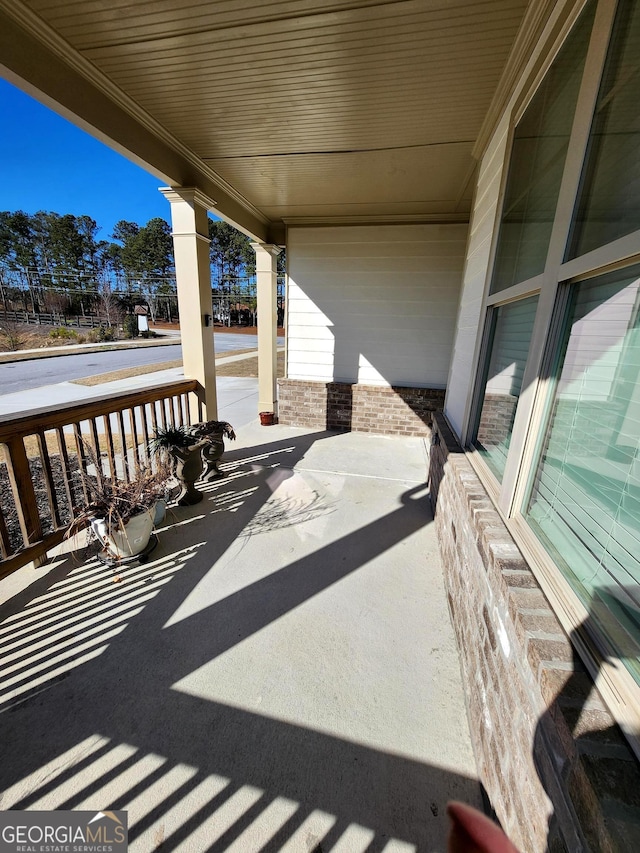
<point>551,15</point>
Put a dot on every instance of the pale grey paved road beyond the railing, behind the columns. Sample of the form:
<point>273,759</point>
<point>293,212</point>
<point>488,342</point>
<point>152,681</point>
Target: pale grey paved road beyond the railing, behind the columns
<point>35,373</point>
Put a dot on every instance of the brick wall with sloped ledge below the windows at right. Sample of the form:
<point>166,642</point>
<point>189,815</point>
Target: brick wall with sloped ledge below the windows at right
<point>558,772</point>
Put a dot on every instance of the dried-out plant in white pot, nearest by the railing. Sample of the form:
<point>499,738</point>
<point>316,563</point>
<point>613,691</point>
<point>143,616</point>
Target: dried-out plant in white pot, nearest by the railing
<point>121,513</point>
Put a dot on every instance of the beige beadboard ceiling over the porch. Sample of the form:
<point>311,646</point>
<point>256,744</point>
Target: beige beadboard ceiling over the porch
<point>296,111</point>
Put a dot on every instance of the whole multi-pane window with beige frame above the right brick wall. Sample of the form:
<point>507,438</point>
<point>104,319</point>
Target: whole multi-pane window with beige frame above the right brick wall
<point>563,310</point>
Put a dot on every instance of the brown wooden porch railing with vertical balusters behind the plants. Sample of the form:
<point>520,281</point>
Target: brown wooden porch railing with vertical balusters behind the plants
<point>46,452</point>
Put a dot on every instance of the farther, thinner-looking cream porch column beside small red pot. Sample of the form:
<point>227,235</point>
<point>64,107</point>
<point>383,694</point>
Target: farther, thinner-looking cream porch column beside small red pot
<point>267,303</point>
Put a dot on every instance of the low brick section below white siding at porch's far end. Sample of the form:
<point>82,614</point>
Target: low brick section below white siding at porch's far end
<point>360,408</point>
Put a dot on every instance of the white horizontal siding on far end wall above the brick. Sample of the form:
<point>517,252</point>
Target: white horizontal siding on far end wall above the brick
<point>373,305</point>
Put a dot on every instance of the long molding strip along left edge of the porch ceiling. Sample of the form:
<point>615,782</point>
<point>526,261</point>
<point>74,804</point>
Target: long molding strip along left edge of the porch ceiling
<point>53,42</point>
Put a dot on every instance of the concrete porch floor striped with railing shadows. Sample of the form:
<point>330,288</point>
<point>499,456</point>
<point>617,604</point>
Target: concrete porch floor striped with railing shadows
<point>282,674</point>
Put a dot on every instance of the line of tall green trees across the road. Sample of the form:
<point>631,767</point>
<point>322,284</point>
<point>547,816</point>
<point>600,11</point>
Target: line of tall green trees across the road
<point>57,263</point>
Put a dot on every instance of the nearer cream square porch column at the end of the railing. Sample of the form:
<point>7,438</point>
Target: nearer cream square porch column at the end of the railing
<point>190,232</point>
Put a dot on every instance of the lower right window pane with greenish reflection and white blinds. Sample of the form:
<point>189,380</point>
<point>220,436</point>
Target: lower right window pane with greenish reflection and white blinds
<point>585,501</point>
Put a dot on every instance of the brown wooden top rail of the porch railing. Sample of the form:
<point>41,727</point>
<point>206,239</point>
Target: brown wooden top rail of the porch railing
<point>35,420</point>
